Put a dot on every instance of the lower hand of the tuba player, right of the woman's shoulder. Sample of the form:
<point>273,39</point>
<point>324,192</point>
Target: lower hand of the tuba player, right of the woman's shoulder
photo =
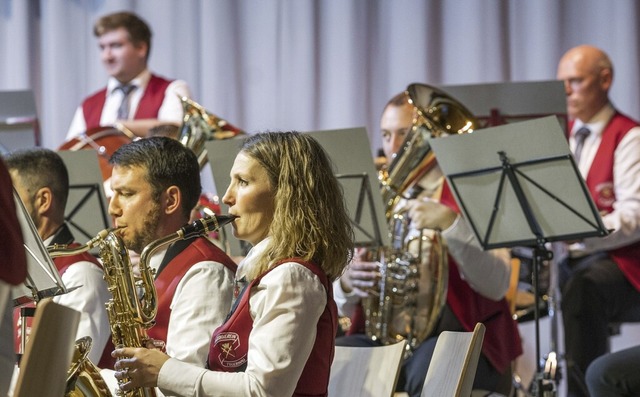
<point>361,276</point>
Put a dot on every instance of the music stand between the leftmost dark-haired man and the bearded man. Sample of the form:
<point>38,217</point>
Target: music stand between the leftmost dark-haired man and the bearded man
<point>86,211</point>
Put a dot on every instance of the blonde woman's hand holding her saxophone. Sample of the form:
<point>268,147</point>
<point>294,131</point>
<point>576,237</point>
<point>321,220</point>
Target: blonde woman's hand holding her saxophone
<point>138,367</point>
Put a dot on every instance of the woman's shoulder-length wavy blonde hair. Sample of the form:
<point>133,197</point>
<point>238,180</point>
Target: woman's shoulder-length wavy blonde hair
<point>310,219</point>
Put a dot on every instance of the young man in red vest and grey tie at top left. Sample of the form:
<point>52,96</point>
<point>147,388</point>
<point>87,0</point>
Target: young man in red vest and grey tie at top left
<point>134,97</point>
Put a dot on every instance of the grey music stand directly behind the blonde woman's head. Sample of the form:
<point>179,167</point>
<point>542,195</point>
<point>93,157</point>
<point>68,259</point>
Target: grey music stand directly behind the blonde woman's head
<point>350,151</point>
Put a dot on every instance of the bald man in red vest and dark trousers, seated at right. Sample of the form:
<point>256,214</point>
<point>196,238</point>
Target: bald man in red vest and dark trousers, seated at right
<point>600,278</point>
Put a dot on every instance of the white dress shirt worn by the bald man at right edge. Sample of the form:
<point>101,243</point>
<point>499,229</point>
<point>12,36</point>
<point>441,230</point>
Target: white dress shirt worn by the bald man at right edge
<point>624,220</point>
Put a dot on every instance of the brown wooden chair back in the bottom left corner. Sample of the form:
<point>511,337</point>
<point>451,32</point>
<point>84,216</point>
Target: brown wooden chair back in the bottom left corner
<point>47,358</point>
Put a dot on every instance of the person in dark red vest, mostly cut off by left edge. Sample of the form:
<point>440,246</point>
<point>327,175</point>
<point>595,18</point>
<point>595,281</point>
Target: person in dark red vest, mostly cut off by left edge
<point>13,271</point>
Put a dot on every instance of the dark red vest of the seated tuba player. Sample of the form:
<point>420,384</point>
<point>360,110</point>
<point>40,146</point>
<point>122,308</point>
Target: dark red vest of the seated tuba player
<point>502,342</point>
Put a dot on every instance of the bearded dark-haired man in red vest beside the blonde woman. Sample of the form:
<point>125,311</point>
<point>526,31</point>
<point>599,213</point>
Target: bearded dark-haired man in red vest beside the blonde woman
<point>156,184</point>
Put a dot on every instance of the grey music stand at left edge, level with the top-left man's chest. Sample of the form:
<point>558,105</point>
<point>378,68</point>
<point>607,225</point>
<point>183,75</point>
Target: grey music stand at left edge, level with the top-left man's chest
<point>18,121</point>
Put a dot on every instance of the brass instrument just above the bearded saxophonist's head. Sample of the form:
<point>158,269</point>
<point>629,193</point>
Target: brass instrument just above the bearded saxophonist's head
<point>199,126</point>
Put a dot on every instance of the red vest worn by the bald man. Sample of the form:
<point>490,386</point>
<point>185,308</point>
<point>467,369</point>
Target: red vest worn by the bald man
<point>601,184</point>
